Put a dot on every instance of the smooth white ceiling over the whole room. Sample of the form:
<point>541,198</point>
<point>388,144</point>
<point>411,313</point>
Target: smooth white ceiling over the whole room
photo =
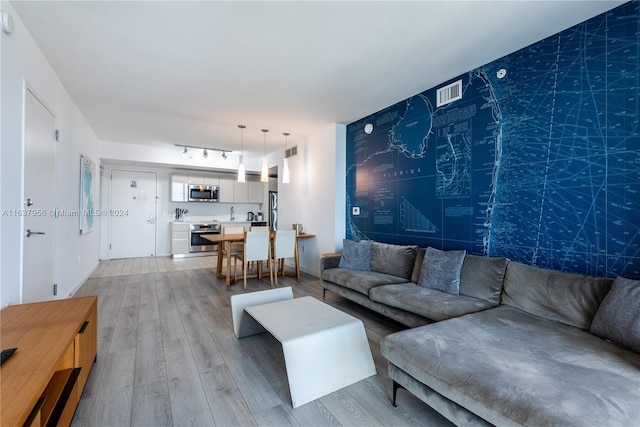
<point>167,72</point>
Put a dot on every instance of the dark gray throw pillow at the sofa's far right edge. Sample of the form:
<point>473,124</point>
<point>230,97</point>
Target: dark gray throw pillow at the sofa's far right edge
<point>618,318</point>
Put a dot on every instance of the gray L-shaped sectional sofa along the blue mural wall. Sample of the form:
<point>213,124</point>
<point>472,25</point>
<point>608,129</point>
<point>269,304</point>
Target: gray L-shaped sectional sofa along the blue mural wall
<point>517,345</point>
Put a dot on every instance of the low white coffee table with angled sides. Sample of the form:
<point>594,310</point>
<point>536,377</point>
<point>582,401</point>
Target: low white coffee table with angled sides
<point>324,348</point>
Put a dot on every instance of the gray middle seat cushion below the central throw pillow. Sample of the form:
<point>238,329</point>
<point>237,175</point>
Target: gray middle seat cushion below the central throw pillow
<point>432,304</point>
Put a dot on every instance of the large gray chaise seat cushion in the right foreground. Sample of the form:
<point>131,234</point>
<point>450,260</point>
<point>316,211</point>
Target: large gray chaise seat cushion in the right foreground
<point>512,368</point>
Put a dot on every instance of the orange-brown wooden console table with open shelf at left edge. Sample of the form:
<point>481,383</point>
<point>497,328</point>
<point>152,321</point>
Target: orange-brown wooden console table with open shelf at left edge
<point>57,345</point>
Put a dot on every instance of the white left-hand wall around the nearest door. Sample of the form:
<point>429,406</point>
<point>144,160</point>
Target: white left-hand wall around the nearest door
<point>76,256</point>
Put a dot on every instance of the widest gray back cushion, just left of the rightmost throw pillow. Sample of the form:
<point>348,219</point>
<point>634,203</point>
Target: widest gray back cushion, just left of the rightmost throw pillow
<point>571,299</point>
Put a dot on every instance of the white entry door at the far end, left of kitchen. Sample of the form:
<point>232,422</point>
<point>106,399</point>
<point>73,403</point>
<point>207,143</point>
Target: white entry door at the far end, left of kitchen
<point>132,214</point>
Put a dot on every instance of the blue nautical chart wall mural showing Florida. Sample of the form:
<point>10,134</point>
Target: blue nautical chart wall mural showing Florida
<point>537,158</point>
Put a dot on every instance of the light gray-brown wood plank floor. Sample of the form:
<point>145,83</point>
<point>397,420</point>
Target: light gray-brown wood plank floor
<point>167,356</point>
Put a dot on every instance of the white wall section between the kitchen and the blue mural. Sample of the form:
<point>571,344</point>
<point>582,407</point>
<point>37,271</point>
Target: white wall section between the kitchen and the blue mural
<point>315,197</point>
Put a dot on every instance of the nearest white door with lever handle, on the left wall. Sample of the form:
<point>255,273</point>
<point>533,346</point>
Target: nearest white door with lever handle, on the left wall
<point>38,223</point>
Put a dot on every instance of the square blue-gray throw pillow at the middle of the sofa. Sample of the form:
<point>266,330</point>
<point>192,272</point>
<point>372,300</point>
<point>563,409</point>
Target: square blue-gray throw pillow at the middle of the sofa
<point>441,270</point>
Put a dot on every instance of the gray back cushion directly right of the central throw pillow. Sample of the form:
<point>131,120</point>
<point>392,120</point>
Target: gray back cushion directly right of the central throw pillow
<point>482,277</point>
